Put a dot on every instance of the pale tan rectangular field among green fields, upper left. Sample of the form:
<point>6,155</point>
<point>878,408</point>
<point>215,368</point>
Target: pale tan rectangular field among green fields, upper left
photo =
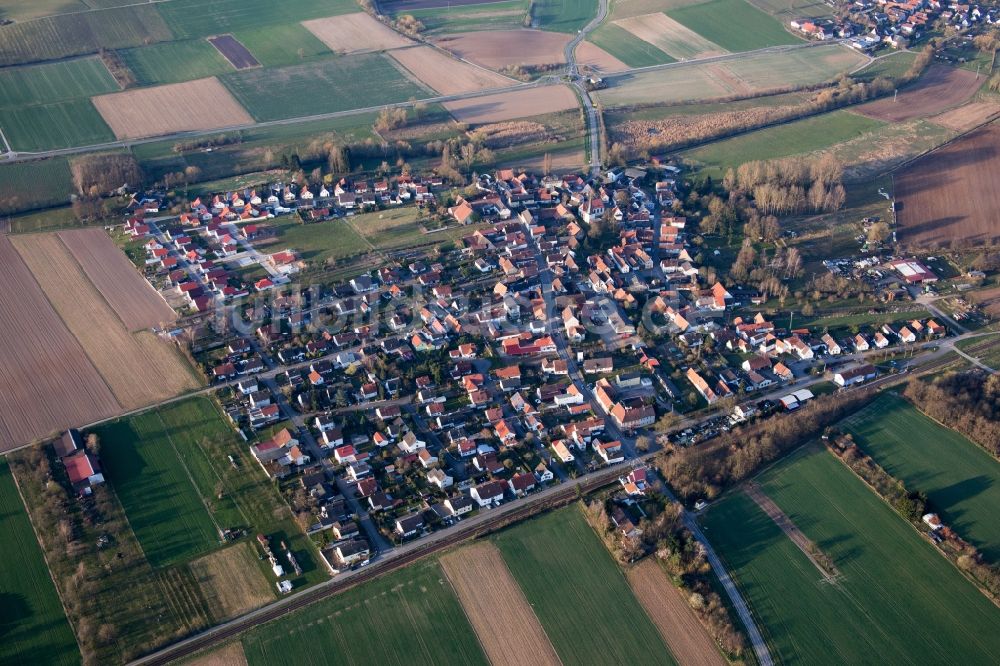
<point>194,105</point>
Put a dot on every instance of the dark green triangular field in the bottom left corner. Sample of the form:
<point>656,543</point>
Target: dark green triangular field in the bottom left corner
<point>32,623</point>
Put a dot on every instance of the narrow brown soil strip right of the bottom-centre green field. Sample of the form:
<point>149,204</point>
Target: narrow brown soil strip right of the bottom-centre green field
<point>676,622</point>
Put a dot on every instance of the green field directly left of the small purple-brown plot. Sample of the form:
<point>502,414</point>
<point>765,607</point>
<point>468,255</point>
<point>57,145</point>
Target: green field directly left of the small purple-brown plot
<point>173,62</point>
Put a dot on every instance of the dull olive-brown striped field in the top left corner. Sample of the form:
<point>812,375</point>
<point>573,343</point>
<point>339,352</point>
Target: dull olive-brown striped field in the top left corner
<point>66,35</point>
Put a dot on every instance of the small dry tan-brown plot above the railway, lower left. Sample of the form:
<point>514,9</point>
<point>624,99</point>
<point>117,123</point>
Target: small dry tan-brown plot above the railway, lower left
<point>232,582</point>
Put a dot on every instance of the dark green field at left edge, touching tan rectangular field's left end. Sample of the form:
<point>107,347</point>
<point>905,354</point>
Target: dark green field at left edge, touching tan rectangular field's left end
<point>56,125</point>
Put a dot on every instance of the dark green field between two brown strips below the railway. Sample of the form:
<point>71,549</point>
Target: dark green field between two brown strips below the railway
<point>578,592</point>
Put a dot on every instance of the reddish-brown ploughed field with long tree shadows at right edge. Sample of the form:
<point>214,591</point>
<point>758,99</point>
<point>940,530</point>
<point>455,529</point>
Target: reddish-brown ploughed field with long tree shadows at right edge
<point>951,197</point>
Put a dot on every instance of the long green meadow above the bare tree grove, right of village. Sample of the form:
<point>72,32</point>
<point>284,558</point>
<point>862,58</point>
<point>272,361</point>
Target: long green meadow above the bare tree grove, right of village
<point>794,138</point>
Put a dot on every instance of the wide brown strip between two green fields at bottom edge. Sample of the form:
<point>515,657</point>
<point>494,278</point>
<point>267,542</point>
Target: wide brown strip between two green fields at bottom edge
<point>492,599</point>
